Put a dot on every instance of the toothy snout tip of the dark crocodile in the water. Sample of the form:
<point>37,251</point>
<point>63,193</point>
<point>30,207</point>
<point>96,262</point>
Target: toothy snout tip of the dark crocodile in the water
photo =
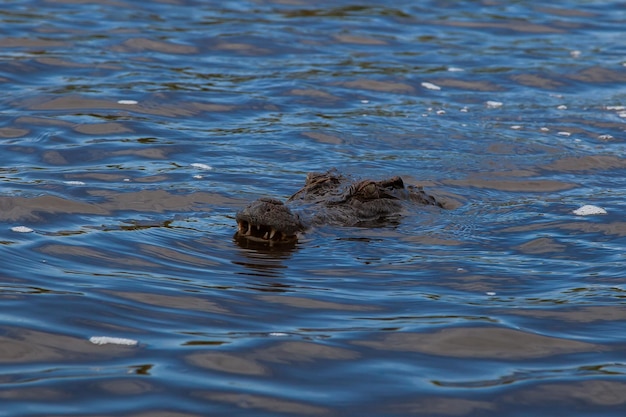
<point>268,219</point>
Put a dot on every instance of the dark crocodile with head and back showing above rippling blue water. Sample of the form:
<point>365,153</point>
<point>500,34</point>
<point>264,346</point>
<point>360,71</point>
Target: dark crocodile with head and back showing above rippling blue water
<point>329,198</point>
